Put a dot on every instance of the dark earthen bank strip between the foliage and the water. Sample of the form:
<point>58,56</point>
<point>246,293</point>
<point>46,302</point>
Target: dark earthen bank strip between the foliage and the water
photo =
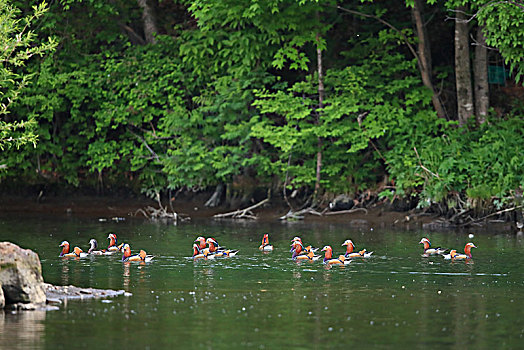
<point>132,207</point>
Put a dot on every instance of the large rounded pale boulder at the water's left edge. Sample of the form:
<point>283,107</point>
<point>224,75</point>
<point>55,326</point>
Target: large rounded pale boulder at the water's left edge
<point>21,276</point>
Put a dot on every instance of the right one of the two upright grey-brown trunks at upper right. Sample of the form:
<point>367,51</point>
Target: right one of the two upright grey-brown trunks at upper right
<point>480,71</point>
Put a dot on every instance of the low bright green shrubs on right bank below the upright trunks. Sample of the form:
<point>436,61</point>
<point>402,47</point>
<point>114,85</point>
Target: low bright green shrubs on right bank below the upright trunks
<point>483,163</point>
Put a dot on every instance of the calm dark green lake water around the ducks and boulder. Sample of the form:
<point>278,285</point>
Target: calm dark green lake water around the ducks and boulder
<point>396,299</point>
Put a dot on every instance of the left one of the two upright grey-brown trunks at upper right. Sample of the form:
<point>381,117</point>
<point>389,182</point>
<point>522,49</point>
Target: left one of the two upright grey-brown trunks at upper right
<point>465,108</point>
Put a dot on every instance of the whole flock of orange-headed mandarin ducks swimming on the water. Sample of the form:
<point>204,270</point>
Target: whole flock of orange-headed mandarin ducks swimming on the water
<point>207,249</point>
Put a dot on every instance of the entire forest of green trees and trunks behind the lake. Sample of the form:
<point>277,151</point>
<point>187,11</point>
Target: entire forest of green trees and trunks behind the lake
<point>418,102</point>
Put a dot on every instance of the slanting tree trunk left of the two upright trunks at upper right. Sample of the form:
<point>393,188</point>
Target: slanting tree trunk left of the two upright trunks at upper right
<point>424,56</point>
